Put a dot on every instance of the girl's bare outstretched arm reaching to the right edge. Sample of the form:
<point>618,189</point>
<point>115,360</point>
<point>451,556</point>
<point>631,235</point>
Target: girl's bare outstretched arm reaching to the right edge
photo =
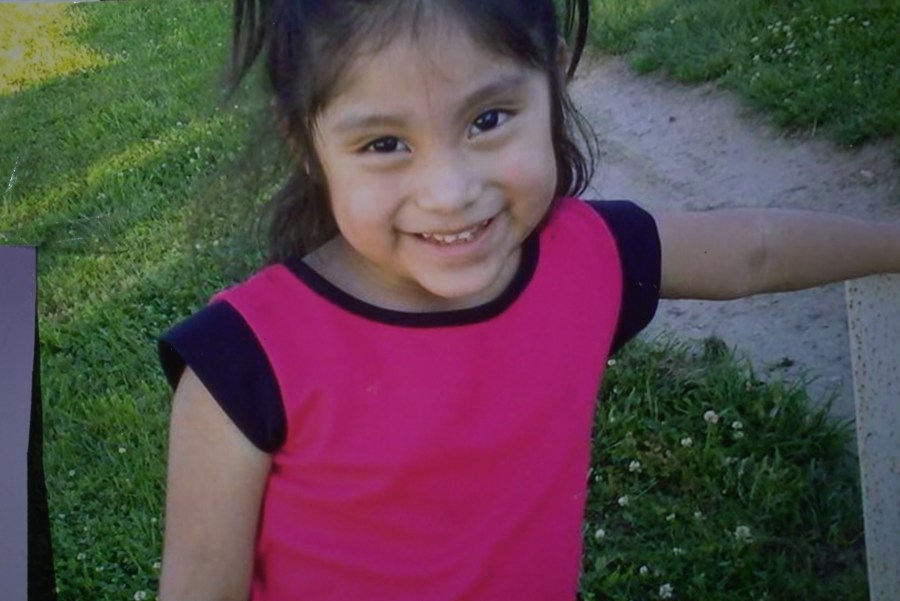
<point>727,254</point>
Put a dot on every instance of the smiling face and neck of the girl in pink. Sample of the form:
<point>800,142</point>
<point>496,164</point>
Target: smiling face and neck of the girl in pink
<point>439,162</point>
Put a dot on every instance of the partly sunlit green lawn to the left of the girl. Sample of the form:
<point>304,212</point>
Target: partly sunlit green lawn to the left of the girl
<point>101,166</point>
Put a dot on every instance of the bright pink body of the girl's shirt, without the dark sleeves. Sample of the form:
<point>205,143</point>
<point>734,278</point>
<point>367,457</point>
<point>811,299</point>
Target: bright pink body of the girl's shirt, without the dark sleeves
<point>435,456</point>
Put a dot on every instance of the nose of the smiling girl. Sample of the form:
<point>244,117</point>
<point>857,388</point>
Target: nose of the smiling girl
<point>449,183</point>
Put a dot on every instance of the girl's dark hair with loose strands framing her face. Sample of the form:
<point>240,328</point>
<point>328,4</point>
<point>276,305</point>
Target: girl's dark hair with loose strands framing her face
<point>308,44</point>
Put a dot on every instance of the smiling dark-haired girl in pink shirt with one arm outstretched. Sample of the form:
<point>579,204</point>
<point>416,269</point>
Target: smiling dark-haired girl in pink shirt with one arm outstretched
<point>399,406</point>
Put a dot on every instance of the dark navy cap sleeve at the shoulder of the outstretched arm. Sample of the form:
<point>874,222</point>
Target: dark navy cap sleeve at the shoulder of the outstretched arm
<point>637,240</point>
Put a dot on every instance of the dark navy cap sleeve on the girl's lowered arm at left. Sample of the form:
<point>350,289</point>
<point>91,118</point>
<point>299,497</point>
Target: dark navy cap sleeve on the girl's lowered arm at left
<point>225,354</point>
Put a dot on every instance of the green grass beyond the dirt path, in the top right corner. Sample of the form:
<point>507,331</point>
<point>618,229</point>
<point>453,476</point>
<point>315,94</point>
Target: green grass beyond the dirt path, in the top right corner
<point>813,65</point>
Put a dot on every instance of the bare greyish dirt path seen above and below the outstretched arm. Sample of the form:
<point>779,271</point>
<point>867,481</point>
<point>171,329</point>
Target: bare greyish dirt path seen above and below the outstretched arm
<point>675,147</point>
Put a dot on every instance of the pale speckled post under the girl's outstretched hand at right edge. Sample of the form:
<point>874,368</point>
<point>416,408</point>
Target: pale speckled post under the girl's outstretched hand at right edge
<point>873,310</point>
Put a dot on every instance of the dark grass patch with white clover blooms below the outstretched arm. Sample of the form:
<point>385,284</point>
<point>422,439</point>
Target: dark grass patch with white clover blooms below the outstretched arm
<point>705,478</point>
